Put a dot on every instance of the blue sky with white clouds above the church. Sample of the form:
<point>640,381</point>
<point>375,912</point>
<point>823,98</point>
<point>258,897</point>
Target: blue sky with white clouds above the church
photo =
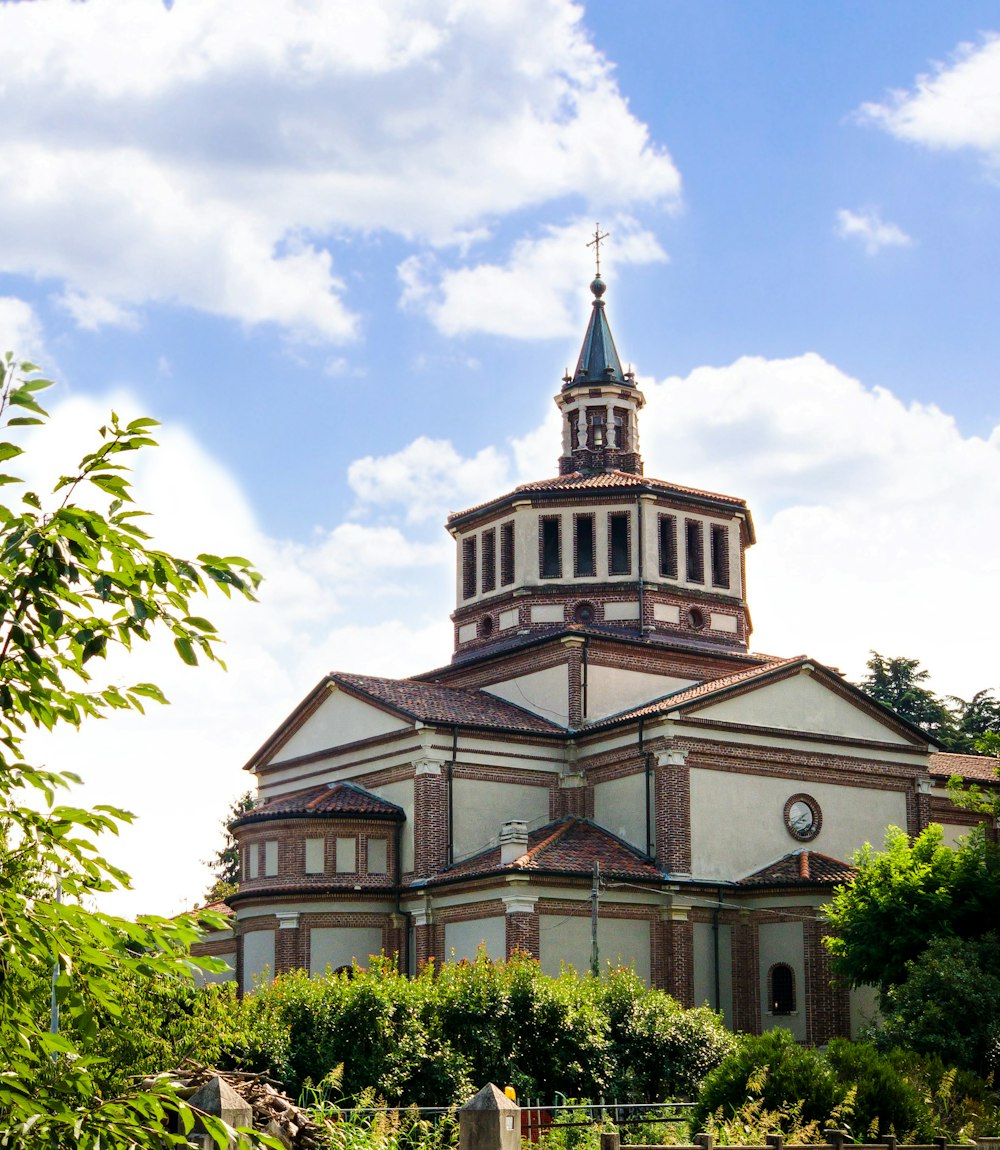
<point>340,251</point>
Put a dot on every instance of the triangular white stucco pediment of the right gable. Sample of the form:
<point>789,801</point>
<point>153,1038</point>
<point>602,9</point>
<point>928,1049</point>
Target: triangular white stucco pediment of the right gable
<point>802,703</point>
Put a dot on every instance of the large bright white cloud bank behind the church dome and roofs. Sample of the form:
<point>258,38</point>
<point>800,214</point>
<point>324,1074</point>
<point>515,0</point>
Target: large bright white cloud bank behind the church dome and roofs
<point>873,519</point>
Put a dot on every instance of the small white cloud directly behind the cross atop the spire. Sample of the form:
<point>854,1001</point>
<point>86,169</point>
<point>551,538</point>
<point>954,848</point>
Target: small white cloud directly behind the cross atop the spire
<point>535,295</point>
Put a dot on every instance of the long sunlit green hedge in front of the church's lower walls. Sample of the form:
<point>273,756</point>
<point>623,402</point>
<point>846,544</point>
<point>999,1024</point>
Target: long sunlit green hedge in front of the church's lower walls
<point>436,1039</point>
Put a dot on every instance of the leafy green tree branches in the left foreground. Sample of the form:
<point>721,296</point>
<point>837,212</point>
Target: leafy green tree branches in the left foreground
<point>79,579</point>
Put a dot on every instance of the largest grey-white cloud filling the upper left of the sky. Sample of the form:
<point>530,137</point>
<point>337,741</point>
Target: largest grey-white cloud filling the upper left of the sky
<point>219,150</point>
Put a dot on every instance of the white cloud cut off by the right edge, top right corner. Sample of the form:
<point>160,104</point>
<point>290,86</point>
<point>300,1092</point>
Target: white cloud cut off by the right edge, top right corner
<point>955,106</point>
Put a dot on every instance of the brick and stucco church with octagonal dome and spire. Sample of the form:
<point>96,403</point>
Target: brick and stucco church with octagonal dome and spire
<point>605,772</point>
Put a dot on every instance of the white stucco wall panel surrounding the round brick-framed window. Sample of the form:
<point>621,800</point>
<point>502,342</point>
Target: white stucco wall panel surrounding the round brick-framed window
<point>737,822</point>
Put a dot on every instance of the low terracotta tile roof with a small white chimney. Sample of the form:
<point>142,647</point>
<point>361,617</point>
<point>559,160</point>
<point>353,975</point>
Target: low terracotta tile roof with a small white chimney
<point>571,846</point>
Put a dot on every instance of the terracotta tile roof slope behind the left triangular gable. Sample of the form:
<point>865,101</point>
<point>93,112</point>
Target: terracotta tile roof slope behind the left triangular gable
<point>433,703</point>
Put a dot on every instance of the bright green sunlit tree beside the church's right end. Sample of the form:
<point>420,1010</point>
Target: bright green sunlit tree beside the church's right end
<point>904,896</point>
